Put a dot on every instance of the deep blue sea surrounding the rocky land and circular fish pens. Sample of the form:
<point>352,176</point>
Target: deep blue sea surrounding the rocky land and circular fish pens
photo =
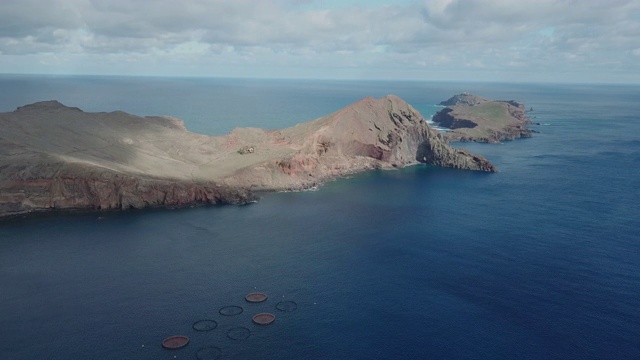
<point>538,261</point>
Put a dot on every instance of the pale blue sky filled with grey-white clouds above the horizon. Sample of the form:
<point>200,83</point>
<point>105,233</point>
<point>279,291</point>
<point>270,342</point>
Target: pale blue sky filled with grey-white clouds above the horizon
<point>592,41</point>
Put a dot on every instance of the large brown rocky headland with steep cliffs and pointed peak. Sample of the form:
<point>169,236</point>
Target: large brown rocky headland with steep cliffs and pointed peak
<point>54,156</point>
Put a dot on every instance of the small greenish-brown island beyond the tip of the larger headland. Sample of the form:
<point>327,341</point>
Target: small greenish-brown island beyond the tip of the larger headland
<point>472,118</point>
